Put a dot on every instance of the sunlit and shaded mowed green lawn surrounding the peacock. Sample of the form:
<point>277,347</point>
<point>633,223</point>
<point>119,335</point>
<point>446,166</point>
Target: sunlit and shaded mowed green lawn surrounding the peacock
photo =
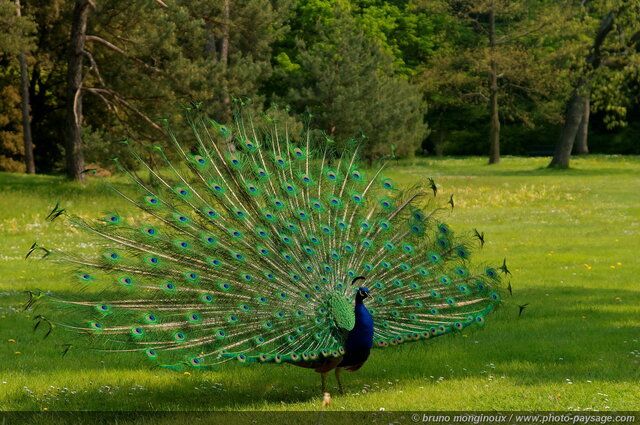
<point>571,239</point>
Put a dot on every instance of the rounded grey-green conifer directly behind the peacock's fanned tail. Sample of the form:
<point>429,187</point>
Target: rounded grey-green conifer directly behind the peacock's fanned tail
<point>347,82</point>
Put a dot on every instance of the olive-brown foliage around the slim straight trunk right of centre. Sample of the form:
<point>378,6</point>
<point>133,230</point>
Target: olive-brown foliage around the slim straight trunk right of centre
<point>455,79</point>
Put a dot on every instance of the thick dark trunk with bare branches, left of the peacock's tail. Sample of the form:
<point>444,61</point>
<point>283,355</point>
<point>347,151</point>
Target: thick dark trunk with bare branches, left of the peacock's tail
<point>73,128</point>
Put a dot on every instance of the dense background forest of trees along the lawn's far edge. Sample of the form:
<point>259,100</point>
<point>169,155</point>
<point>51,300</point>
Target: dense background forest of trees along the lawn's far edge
<point>419,77</point>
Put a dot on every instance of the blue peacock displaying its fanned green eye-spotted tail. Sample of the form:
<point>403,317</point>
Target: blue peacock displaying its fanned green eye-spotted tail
<point>254,243</point>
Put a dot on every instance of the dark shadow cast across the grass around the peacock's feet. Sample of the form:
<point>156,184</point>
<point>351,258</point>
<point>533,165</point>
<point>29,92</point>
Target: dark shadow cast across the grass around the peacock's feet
<point>569,334</point>
